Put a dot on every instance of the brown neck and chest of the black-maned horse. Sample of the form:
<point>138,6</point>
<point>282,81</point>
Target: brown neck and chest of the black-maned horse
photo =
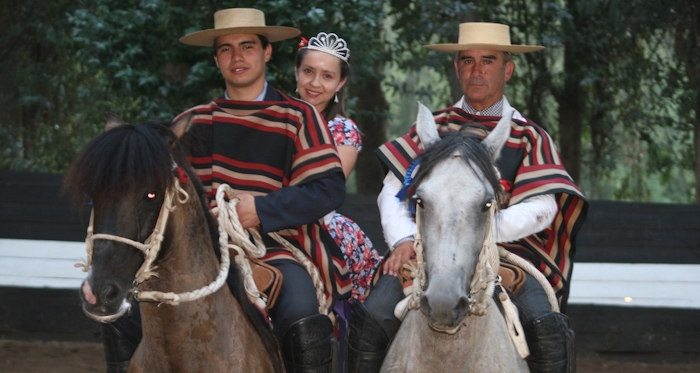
<point>207,334</point>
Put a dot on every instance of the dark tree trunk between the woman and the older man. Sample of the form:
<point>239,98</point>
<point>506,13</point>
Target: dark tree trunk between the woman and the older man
<point>370,116</point>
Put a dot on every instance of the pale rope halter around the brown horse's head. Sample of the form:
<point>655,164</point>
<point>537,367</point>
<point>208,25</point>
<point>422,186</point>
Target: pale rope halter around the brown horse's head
<point>150,248</point>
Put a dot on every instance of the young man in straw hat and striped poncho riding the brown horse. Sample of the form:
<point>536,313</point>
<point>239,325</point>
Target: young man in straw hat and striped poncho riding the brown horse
<point>278,156</point>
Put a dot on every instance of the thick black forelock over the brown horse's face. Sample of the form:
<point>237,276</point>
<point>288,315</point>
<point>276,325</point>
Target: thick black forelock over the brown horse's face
<point>122,160</point>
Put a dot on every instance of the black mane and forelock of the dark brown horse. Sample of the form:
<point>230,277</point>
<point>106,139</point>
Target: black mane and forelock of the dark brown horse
<point>130,157</point>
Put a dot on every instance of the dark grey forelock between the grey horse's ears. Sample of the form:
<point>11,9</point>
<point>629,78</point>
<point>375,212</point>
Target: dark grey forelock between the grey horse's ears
<point>471,150</point>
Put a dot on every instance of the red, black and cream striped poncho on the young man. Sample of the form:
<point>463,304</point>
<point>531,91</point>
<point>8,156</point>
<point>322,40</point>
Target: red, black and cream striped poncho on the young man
<point>280,151</point>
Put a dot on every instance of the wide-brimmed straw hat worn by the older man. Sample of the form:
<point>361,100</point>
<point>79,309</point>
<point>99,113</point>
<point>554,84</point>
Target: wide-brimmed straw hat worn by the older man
<point>483,35</point>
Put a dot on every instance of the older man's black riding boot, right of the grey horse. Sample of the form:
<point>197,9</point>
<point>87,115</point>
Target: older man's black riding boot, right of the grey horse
<point>551,344</point>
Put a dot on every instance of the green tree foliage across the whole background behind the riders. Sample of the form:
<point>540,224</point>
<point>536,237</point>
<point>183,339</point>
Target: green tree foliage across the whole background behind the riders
<point>631,64</point>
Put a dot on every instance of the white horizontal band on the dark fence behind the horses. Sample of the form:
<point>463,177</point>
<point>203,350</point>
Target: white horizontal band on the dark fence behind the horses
<point>34,263</point>
